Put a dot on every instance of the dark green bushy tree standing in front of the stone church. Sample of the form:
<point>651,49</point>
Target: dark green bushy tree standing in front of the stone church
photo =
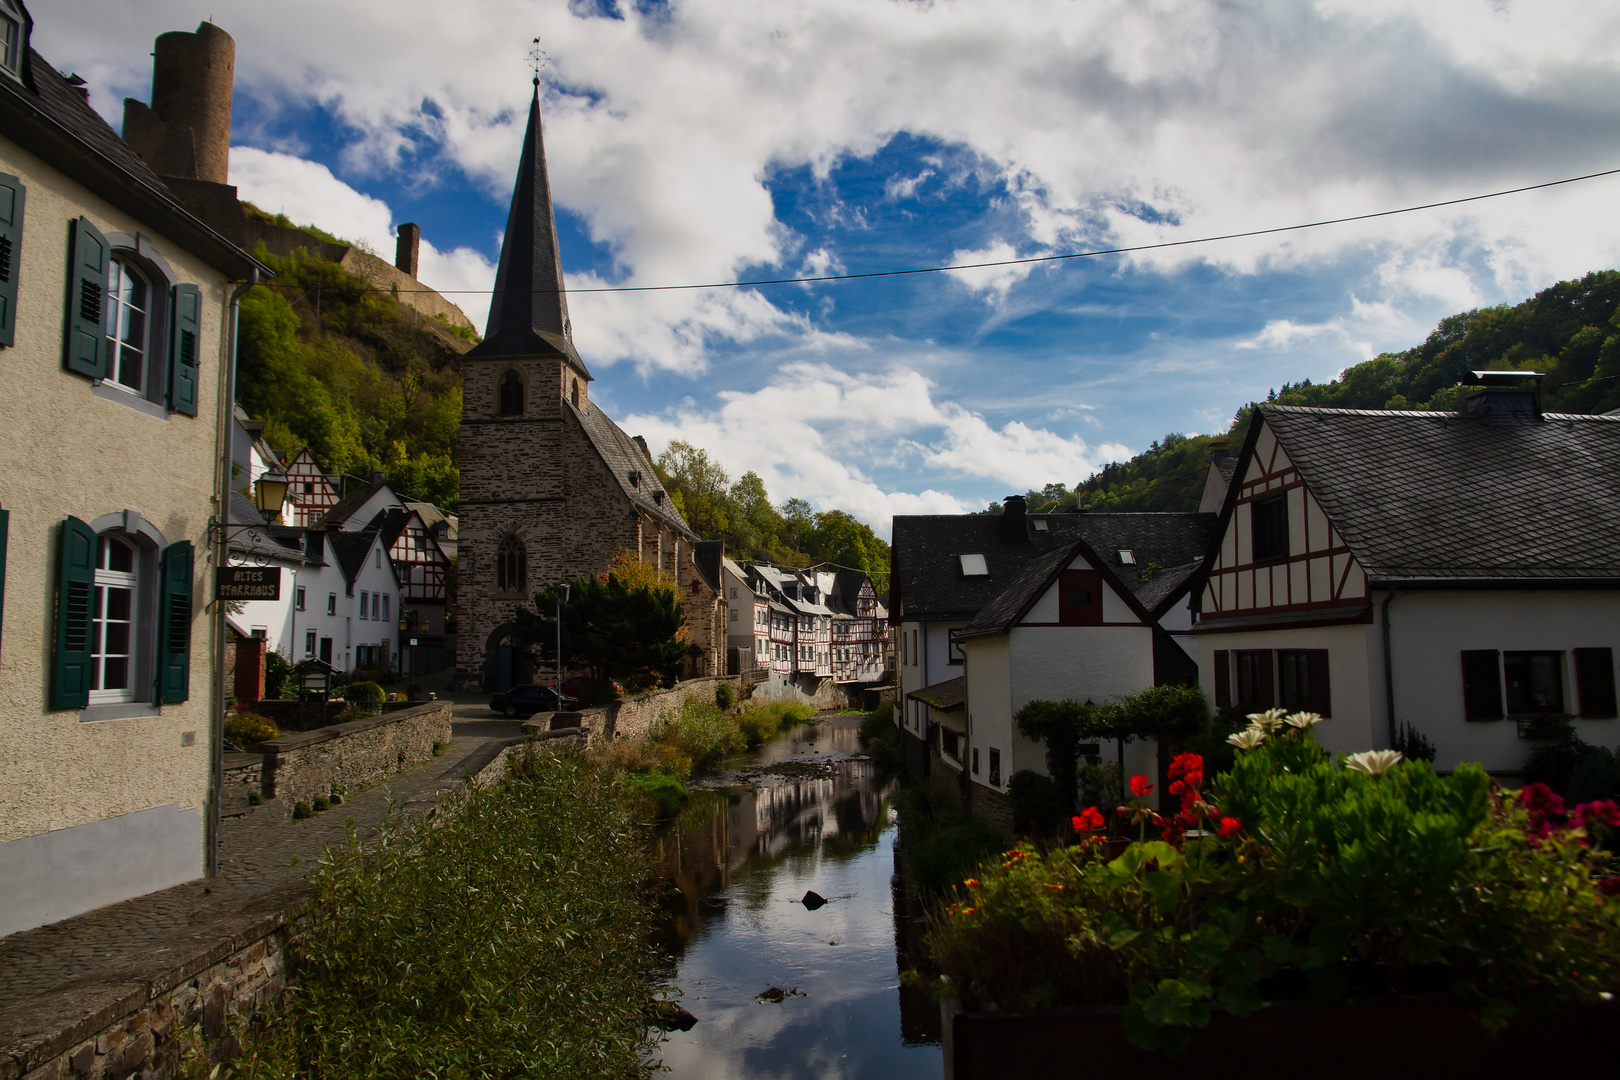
<point>613,627</point>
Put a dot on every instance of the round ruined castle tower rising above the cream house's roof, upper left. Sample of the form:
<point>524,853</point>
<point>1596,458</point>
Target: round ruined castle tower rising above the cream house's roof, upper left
<point>185,132</point>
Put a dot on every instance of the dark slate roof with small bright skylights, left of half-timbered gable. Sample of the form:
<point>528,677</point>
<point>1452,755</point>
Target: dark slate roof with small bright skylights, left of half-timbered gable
<point>929,584</point>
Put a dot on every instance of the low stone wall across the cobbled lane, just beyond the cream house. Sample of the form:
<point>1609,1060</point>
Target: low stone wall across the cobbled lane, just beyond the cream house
<point>309,765</point>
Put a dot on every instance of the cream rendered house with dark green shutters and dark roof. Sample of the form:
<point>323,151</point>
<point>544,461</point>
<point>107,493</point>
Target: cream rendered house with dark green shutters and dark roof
<point>116,312</point>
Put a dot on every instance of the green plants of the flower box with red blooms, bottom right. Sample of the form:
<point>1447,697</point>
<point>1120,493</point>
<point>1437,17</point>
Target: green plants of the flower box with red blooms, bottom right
<point>1332,883</point>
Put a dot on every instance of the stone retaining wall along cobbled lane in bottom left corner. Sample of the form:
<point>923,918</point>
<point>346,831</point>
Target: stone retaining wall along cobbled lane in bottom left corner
<point>137,1023</point>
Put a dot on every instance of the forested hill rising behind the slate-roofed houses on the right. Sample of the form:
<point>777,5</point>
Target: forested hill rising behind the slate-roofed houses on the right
<point>1571,331</point>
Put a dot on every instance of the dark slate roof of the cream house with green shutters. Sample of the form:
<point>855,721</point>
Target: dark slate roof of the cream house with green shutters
<point>54,119</point>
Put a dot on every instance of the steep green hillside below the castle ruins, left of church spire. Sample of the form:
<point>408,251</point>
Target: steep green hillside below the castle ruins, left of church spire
<point>333,365</point>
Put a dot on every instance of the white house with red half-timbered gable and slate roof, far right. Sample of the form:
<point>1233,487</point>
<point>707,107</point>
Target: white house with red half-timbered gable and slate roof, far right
<point>1457,572</point>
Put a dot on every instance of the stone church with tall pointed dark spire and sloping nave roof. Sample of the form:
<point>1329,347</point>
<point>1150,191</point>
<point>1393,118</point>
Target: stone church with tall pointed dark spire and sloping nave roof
<point>552,488</point>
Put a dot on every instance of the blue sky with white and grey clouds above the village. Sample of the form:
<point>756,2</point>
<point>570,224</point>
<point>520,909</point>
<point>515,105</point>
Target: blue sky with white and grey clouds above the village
<point>728,140</point>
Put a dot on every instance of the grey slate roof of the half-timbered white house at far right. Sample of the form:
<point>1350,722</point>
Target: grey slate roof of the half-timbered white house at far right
<point>1443,496</point>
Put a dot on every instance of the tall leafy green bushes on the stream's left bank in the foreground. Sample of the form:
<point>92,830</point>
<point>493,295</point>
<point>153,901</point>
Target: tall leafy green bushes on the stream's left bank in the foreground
<point>506,937</point>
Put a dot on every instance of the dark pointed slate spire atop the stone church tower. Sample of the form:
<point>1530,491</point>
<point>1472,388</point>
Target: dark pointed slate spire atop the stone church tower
<point>529,313</point>
